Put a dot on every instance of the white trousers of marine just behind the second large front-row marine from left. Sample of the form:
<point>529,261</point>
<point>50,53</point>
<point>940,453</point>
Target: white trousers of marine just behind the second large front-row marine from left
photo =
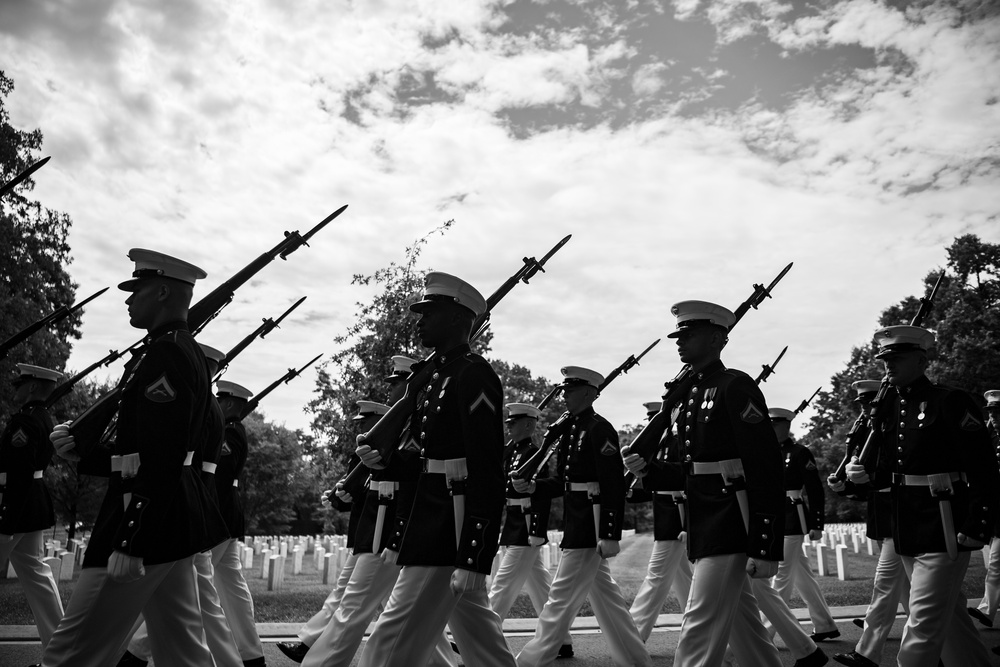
<point>369,587</point>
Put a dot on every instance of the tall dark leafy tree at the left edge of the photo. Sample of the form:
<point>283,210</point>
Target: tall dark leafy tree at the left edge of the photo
<point>34,254</point>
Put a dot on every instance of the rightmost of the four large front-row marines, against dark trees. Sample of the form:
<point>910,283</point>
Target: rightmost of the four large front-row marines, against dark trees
<point>930,443</point>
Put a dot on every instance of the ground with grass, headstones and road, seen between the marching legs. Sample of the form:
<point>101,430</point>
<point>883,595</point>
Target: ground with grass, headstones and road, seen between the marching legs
<point>279,613</point>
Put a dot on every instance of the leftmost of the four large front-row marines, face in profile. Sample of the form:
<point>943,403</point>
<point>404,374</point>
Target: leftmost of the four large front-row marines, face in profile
<point>150,526</point>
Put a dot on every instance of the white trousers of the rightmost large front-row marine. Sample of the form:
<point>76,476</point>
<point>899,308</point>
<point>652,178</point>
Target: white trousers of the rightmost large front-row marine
<point>937,609</point>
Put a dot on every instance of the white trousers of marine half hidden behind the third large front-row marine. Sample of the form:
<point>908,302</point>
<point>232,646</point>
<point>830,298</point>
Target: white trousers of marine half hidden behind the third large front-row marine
<point>669,571</point>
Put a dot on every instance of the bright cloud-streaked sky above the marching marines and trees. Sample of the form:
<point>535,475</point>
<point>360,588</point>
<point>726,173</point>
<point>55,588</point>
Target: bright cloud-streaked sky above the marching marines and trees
<point>692,148</point>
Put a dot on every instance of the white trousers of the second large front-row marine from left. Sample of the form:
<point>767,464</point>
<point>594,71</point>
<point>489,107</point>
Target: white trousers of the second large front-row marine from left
<point>420,606</point>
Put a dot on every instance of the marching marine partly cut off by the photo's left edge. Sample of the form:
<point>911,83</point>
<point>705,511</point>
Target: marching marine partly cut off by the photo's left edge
<point>25,504</point>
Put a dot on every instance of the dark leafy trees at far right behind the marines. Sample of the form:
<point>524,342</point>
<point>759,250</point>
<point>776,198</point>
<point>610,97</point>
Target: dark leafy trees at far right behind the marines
<point>966,321</point>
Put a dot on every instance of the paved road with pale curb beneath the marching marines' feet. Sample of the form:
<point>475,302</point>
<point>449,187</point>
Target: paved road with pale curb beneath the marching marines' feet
<point>587,640</point>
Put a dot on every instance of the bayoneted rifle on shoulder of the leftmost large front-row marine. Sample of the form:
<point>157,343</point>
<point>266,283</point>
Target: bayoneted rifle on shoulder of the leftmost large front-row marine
<point>89,427</point>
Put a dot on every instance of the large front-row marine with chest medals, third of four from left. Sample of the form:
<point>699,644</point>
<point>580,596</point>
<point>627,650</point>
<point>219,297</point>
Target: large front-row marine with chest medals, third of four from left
<point>730,467</point>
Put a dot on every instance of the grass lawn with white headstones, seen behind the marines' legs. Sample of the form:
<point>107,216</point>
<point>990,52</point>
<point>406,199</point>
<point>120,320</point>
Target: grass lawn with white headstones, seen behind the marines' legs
<point>303,594</point>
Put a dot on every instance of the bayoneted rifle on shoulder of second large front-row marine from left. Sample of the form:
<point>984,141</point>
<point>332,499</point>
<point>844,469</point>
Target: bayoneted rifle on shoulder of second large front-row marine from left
<point>384,435</point>
